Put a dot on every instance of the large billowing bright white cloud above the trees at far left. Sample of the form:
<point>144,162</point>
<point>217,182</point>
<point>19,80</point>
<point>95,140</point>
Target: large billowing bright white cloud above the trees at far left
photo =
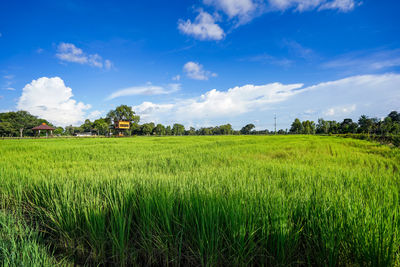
<point>50,99</point>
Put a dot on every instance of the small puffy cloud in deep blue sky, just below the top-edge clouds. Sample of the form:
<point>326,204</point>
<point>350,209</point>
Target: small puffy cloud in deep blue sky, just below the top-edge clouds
<point>203,27</point>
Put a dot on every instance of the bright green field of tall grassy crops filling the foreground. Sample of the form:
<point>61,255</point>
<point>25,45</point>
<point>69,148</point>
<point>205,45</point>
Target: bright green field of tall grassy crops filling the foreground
<point>214,201</point>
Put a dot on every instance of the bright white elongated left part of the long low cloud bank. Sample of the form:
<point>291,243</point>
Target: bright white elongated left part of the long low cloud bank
<point>214,103</point>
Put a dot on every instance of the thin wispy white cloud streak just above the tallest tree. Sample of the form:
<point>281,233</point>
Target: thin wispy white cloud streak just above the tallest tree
<point>148,89</point>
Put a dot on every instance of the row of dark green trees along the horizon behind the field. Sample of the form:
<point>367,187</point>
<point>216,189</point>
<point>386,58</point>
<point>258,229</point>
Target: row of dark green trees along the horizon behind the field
<point>20,123</point>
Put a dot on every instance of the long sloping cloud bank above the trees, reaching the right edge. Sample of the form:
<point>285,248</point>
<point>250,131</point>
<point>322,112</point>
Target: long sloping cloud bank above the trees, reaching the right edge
<point>373,95</point>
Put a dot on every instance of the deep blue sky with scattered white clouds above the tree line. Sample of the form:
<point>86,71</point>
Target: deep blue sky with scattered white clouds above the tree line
<point>201,63</point>
